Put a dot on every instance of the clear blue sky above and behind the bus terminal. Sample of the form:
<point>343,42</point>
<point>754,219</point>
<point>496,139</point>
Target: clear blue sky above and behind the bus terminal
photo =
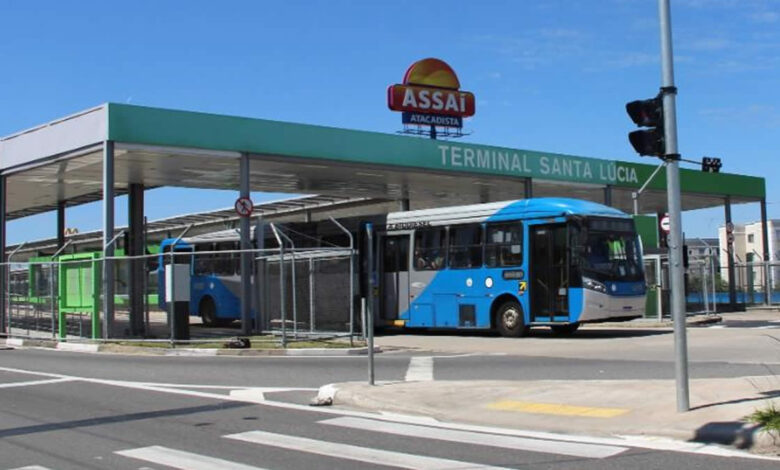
<point>551,75</point>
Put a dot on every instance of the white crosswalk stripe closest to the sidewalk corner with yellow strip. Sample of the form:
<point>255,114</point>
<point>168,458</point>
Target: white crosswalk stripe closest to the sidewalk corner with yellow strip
<point>574,449</point>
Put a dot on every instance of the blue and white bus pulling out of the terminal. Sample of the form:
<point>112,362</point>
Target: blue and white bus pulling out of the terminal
<point>509,266</point>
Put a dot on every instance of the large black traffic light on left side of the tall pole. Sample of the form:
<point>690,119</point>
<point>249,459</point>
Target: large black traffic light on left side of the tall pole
<point>650,114</point>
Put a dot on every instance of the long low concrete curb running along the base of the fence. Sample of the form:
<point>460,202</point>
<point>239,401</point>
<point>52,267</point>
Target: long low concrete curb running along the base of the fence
<point>184,352</point>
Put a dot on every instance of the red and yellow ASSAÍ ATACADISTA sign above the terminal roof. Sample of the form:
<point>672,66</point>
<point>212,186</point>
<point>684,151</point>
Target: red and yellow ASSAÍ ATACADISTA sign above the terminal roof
<point>430,95</point>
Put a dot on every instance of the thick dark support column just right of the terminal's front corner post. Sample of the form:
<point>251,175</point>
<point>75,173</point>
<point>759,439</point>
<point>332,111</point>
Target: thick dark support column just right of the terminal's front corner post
<point>135,249</point>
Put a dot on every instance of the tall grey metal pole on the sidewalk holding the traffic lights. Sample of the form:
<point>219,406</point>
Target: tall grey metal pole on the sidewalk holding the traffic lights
<point>673,194</point>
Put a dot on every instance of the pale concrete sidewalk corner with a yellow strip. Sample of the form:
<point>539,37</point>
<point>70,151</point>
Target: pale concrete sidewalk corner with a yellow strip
<point>594,408</point>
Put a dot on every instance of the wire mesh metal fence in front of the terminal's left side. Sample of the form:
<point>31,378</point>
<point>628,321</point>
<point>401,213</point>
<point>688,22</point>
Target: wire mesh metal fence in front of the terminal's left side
<point>297,294</point>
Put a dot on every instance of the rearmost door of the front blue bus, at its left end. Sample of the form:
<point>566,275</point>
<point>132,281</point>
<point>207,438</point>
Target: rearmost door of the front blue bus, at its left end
<point>394,281</point>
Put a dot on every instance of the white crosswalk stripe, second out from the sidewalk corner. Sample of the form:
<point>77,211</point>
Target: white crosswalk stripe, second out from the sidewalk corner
<point>360,454</point>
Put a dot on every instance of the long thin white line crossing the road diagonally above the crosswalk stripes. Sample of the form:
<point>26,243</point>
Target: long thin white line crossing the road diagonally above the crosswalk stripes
<point>643,442</point>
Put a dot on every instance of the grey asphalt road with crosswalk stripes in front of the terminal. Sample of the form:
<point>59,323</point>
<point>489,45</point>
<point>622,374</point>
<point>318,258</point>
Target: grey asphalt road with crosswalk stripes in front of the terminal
<point>75,410</point>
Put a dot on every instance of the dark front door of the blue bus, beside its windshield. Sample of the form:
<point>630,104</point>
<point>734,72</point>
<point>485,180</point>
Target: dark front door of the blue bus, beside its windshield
<point>549,276</point>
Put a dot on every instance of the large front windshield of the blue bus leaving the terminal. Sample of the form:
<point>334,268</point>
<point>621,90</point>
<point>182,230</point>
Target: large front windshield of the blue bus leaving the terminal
<point>611,251</point>
